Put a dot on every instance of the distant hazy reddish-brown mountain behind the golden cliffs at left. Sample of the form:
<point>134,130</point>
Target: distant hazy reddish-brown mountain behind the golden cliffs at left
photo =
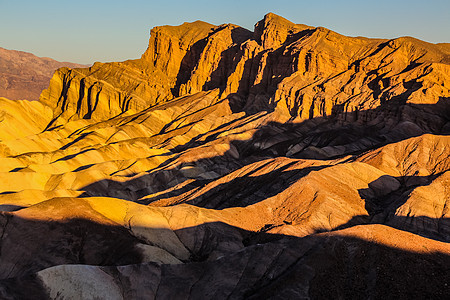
<point>24,75</point>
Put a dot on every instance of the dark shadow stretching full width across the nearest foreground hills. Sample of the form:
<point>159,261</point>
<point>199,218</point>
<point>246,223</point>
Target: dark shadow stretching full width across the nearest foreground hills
<point>325,266</point>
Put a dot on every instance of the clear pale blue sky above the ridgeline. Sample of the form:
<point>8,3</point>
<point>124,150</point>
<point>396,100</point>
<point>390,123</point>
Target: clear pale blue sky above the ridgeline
<point>88,31</point>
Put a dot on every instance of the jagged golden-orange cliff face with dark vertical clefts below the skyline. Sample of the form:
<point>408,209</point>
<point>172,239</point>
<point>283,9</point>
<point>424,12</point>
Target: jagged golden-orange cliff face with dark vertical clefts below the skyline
<point>299,71</point>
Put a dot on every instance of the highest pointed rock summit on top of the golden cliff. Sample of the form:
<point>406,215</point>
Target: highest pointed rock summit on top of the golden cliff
<point>273,30</point>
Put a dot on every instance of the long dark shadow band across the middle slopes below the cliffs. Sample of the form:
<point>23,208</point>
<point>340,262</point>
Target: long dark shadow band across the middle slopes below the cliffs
<point>343,135</point>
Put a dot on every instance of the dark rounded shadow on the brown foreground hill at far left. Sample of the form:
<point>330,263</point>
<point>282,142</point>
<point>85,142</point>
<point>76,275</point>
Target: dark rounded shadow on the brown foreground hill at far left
<point>28,245</point>
